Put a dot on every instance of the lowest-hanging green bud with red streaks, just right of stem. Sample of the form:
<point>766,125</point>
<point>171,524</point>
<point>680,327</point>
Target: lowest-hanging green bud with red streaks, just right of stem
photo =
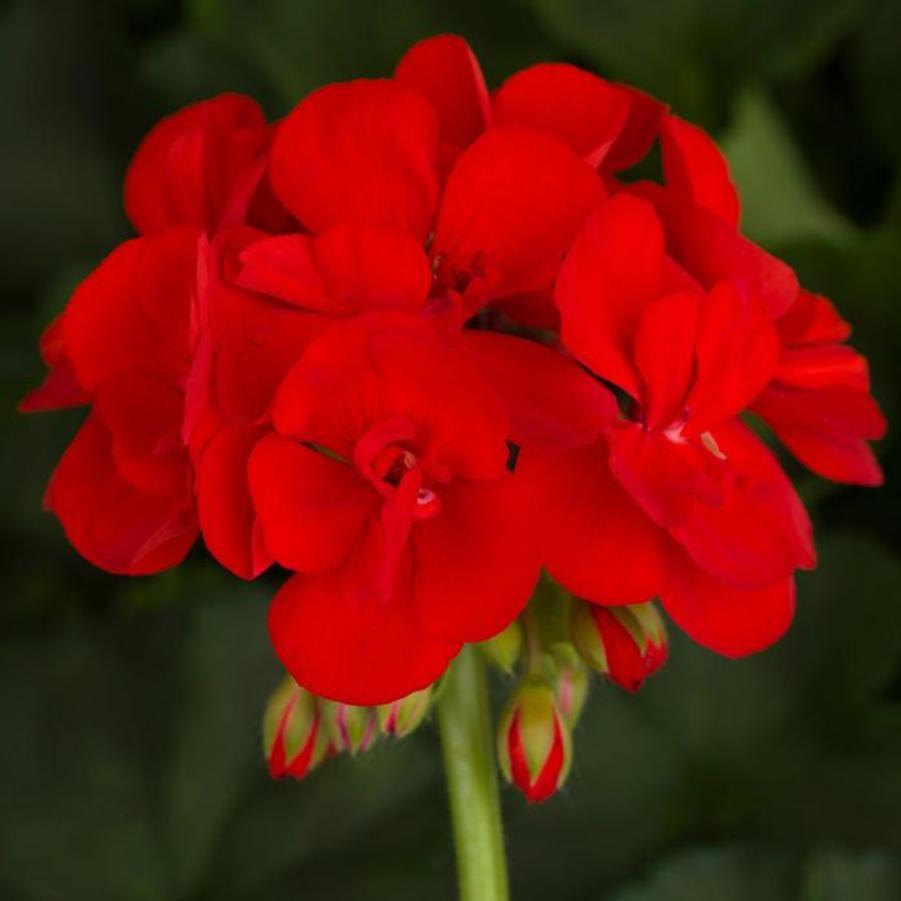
<point>533,741</point>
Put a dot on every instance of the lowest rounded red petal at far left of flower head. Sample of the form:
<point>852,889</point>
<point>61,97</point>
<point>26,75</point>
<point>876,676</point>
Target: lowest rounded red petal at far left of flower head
<point>112,524</point>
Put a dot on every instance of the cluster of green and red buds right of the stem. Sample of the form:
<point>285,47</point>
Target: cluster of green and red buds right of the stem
<point>560,639</point>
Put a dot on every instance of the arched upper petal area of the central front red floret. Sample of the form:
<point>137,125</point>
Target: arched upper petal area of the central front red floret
<point>381,366</point>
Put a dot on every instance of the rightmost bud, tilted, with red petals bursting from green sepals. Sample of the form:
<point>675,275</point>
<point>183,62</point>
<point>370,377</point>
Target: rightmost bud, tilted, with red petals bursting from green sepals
<point>627,644</point>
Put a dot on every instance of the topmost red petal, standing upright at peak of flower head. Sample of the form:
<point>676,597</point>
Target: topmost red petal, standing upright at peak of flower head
<point>445,71</point>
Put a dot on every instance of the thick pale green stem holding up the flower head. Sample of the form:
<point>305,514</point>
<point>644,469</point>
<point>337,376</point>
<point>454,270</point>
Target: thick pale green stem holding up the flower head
<point>469,761</point>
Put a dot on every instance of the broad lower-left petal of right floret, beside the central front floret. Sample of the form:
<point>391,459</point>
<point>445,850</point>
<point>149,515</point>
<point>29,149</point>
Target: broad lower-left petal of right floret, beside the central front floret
<point>596,541</point>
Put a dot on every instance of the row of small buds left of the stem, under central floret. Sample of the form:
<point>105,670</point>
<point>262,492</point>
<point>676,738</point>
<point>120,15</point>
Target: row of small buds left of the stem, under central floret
<point>300,730</point>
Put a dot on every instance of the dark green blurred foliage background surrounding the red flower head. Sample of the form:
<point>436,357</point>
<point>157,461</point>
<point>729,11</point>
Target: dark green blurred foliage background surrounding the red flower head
<point>129,710</point>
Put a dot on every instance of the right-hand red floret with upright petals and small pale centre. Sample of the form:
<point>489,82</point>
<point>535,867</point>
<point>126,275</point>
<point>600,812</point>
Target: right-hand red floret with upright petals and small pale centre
<point>692,507</point>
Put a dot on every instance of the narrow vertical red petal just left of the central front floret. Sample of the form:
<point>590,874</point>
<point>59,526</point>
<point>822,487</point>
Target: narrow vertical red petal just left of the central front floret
<point>228,520</point>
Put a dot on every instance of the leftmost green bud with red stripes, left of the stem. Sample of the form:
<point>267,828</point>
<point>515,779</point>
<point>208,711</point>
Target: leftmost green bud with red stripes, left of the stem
<point>292,733</point>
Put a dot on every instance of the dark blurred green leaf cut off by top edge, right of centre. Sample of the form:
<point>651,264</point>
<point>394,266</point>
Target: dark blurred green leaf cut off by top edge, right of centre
<point>695,56</point>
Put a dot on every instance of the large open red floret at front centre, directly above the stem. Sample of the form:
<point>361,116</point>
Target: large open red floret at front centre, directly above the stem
<point>385,487</point>
